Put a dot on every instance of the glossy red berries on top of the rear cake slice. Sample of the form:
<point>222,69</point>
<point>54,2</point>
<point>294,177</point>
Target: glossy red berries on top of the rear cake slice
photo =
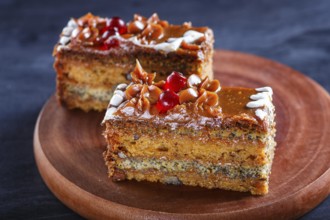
<point>113,26</point>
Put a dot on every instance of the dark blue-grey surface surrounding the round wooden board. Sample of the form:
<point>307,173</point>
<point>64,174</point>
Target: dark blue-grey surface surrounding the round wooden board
<point>296,33</point>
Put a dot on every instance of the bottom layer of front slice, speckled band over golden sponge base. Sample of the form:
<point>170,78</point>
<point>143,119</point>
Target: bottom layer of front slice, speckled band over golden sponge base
<point>193,173</point>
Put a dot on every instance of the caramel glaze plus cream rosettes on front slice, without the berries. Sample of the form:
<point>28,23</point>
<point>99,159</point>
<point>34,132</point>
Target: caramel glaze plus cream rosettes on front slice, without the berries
<point>202,103</point>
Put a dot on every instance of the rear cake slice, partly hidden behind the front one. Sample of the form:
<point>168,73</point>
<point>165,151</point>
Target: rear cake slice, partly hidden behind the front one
<point>94,54</point>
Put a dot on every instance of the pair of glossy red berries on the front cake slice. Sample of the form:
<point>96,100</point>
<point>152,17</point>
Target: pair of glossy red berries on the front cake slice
<point>169,98</point>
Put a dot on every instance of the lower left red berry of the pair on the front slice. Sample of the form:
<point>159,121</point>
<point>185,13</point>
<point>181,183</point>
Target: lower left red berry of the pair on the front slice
<point>167,100</point>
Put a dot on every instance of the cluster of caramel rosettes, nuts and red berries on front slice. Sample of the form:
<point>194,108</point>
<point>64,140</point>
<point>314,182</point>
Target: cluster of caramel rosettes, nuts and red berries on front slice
<point>143,95</point>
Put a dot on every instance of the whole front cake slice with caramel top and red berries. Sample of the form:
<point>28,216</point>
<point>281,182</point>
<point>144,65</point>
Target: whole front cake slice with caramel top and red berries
<point>190,131</point>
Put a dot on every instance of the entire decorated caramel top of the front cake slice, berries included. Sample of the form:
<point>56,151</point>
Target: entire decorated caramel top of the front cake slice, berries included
<point>190,101</point>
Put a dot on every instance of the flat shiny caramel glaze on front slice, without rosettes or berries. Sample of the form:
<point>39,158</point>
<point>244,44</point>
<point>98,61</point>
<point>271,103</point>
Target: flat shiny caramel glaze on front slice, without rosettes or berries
<point>233,114</point>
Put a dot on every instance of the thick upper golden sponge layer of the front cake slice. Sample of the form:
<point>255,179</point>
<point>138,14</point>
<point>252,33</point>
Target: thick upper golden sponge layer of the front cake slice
<point>137,139</point>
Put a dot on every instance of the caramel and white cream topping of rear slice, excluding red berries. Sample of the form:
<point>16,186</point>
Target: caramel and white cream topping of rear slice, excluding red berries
<point>144,32</point>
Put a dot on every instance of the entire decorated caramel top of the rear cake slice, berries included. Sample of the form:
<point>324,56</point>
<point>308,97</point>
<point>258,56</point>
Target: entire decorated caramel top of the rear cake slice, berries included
<point>101,35</point>
